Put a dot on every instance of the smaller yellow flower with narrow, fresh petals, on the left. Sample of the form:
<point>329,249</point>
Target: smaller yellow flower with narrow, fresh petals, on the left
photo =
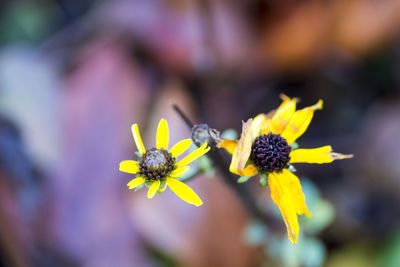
<point>158,168</point>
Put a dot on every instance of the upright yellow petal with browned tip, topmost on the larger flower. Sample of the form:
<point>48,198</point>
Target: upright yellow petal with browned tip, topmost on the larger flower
<point>283,114</point>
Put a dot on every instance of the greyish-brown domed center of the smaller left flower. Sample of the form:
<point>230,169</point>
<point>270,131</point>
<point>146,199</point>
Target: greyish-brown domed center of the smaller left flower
<point>156,164</point>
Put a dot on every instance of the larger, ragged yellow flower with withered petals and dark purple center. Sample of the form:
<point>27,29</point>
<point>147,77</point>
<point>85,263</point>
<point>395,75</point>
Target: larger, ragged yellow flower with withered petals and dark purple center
<point>265,148</point>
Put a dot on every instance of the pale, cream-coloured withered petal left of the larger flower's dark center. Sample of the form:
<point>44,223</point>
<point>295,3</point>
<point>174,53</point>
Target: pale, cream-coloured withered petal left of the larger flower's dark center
<point>242,151</point>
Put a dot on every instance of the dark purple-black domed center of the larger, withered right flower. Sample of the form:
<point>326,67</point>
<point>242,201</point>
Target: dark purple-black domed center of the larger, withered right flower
<point>270,153</point>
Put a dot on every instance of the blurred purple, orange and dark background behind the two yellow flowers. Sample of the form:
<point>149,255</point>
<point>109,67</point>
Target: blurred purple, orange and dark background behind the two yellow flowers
<point>74,75</point>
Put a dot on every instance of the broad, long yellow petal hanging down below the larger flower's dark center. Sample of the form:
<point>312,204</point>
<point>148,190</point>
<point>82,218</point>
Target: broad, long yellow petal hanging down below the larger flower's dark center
<point>287,194</point>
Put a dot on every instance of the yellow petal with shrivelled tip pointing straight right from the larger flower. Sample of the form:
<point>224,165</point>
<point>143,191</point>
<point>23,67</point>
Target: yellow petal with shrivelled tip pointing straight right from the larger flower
<point>318,155</point>
